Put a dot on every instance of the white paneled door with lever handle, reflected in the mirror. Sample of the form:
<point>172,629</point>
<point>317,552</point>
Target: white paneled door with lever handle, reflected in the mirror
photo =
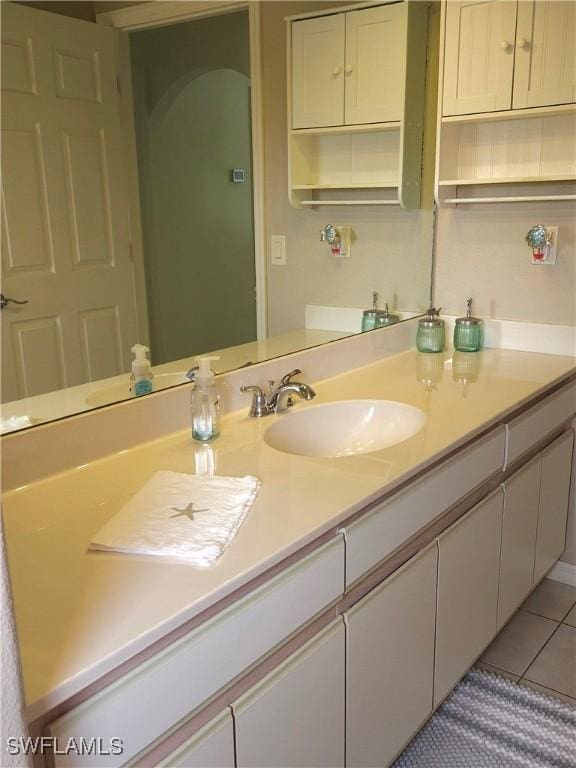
<point>65,242</point>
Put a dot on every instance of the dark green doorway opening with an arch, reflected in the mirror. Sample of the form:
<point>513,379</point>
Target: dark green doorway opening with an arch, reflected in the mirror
<point>191,90</point>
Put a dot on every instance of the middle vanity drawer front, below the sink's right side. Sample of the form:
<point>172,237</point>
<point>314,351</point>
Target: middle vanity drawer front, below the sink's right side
<point>375,536</point>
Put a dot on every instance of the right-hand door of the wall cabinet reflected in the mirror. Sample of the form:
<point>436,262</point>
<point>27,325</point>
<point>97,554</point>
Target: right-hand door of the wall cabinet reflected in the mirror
<point>375,64</point>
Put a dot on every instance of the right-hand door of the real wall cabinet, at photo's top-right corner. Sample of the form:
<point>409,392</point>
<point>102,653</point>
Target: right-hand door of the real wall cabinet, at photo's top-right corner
<point>545,66</point>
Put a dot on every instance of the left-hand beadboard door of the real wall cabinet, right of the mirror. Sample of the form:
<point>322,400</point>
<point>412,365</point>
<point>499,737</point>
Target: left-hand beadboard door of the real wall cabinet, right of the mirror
<point>478,56</point>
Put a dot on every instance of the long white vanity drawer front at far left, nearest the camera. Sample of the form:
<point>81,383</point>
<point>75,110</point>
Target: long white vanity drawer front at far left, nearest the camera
<point>149,700</point>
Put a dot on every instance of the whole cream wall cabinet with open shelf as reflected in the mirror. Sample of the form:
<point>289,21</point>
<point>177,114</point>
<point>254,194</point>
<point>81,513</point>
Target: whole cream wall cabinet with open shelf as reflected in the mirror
<point>356,105</point>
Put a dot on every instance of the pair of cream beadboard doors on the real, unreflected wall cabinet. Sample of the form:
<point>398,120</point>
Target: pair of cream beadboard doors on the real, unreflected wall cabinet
<point>503,55</point>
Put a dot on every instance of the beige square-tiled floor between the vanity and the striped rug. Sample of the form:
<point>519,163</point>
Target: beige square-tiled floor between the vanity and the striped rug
<point>537,648</point>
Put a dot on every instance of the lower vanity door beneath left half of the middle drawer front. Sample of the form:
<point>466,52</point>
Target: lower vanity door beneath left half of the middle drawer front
<point>391,662</point>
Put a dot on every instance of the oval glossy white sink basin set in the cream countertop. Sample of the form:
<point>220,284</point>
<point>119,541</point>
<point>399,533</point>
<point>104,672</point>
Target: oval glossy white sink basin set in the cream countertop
<point>345,428</point>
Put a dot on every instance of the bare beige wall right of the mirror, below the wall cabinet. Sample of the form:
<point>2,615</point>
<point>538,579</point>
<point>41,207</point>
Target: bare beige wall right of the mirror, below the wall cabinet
<point>481,252</point>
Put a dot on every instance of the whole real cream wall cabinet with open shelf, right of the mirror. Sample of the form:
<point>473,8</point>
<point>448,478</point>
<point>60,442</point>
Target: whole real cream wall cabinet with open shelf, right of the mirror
<point>508,92</point>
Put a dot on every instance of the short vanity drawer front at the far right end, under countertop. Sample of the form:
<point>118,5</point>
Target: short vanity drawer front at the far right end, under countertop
<point>539,421</point>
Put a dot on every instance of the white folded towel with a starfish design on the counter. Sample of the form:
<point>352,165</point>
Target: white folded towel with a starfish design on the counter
<point>190,517</point>
